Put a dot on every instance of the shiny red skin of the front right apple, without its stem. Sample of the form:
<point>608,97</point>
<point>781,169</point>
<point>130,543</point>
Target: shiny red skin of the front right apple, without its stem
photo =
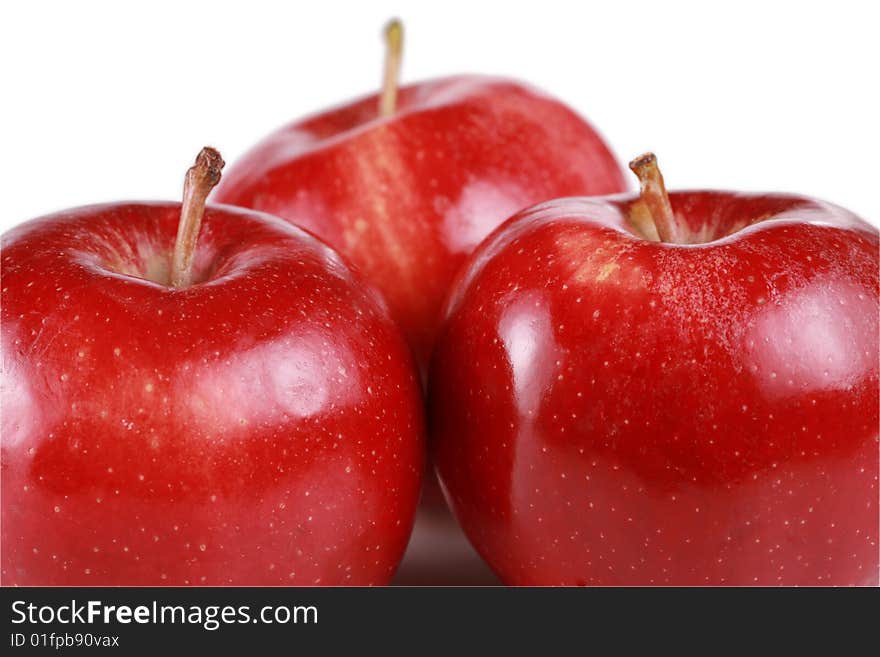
<point>610,410</point>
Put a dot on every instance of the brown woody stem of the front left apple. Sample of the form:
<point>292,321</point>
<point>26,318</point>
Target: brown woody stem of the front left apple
<point>200,180</point>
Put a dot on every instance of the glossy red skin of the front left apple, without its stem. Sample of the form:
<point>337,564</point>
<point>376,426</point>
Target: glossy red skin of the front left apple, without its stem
<point>261,427</point>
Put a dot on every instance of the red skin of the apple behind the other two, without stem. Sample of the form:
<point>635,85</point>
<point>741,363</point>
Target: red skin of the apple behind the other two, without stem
<point>406,198</point>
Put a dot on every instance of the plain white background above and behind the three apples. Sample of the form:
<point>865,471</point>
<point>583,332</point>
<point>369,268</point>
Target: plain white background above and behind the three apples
<point>111,100</point>
